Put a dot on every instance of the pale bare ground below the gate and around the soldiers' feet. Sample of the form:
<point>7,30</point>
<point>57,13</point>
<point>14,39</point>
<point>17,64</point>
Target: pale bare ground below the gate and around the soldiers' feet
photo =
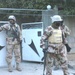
<point>31,69</point>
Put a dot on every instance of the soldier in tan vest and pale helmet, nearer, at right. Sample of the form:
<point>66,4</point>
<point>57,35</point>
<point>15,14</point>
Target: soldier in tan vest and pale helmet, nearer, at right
<point>56,48</point>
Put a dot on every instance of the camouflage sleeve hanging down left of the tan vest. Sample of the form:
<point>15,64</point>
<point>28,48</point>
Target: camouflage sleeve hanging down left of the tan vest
<point>44,37</point>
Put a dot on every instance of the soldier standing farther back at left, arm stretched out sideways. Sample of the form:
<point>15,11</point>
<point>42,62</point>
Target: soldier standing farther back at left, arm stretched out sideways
<point>13,40</point>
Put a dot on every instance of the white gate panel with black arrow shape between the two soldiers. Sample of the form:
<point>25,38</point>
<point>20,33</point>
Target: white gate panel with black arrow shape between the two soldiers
<point>31,34</point>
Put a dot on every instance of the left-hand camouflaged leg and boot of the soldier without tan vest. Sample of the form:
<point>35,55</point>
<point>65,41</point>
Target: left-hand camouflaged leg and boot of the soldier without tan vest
<point>9,57</point>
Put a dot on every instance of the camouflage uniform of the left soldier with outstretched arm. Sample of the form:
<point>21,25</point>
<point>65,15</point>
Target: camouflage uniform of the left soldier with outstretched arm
<point>12,44</point>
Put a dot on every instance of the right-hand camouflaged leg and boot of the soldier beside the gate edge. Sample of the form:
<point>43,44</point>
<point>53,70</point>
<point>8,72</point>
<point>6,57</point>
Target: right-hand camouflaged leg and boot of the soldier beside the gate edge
<point>17,57</point>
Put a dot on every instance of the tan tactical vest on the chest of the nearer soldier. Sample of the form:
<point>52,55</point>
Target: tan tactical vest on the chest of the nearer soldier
<point>56,36</point>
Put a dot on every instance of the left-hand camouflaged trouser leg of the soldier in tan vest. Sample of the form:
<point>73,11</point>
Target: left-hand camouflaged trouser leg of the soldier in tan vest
<point>49,64</point>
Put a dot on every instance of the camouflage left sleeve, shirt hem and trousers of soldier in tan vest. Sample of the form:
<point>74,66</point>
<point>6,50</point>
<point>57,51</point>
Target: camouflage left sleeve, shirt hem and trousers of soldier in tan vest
<point>58,53</point>
